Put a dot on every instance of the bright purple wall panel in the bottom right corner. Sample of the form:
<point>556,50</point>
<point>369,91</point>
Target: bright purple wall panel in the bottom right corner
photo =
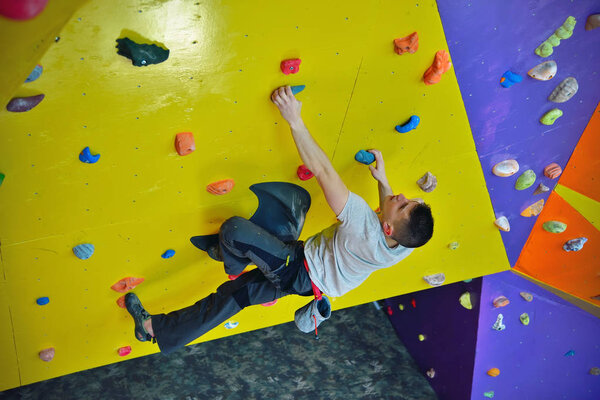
<point>531,358</point>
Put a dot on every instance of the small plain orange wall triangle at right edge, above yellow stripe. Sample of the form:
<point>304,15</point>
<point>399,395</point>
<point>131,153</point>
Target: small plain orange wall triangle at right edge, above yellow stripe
<point>582,173</point>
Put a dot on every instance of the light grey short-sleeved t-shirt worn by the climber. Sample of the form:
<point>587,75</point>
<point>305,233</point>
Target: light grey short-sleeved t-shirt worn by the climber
<point>343,256</point>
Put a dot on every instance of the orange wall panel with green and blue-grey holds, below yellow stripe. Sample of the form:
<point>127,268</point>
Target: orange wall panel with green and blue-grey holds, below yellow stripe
<point>543,257</point>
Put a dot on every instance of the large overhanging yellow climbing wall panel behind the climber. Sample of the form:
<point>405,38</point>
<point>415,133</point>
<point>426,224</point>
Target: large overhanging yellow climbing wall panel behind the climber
<point>141,198</point>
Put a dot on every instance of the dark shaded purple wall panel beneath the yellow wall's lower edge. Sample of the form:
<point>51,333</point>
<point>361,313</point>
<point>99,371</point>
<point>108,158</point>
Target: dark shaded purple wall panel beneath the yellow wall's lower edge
<point>450,334</point>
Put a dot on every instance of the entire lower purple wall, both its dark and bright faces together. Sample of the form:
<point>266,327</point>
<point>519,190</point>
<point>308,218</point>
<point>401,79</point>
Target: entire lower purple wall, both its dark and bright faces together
<point>554,356</point>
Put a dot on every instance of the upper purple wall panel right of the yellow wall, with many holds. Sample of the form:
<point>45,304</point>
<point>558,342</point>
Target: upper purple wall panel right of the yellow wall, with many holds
<point>485,40</point>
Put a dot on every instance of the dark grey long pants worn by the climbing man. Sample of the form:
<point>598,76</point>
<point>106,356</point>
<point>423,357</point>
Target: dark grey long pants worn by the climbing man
<point>280,271</point>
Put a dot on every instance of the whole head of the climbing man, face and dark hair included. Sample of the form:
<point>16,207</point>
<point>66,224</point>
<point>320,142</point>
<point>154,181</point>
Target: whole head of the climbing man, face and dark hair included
<point>408,221</point>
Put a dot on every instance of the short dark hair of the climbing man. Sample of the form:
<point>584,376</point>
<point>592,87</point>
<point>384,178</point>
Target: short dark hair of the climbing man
<point>418,230</point>
